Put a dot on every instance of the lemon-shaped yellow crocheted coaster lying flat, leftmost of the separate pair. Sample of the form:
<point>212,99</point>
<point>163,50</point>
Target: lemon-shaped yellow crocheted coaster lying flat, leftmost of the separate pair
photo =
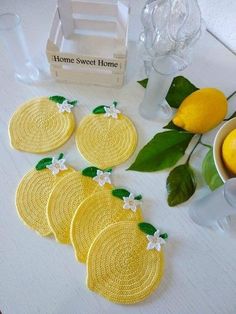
<point>42,124</point>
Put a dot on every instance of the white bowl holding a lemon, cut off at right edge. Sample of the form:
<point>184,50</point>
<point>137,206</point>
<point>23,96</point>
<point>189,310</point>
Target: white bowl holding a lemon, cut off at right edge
<point>226,128</point>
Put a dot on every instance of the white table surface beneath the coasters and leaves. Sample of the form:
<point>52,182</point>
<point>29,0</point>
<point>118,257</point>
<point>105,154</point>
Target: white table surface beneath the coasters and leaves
<point>38,275</point>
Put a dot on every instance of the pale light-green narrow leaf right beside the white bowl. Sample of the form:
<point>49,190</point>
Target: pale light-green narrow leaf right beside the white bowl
<point>209,171</point>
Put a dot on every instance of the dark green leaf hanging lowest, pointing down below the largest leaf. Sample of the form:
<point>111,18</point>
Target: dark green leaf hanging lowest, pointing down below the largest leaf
<point>180,185</point>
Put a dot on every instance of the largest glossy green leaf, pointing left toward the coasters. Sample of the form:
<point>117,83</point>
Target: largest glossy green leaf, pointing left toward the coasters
<point>162,152</point>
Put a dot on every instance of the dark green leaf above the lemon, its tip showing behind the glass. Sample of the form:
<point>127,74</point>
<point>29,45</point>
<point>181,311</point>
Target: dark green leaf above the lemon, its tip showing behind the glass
<point>179,89</point>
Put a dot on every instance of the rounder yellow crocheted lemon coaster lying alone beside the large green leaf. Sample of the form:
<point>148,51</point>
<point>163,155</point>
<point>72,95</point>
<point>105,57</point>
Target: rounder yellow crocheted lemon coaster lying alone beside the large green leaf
<point>106,138</point>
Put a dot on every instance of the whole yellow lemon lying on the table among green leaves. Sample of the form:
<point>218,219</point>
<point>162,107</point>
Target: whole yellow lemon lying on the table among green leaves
<point>201,111</point>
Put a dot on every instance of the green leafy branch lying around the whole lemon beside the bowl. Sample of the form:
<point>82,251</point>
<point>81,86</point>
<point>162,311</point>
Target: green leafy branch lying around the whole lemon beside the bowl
<point>166,149</point>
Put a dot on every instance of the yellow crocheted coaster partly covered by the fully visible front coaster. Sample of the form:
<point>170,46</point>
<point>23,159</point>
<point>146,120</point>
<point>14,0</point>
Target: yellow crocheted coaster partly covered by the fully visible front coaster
<point>97,212</point>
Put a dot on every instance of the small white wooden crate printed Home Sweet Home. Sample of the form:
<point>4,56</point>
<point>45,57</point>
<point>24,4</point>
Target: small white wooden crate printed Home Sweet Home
<point>88,42</point>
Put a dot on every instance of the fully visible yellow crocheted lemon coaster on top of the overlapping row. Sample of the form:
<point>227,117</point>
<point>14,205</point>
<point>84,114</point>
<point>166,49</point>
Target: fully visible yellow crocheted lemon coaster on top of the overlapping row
<point>123,265</point>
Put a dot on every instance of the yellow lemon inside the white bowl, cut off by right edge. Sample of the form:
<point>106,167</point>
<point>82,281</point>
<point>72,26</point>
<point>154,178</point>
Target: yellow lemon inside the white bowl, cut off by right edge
<point>229,151</point>
